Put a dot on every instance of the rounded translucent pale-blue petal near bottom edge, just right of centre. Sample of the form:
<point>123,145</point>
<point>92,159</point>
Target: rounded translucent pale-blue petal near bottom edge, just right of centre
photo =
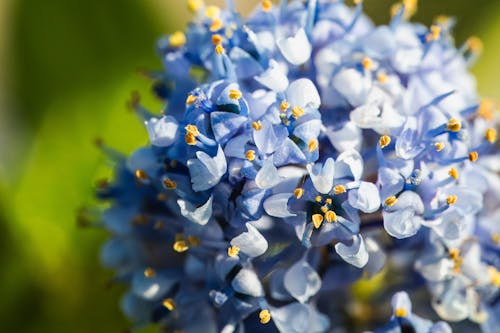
<point>302,281</point>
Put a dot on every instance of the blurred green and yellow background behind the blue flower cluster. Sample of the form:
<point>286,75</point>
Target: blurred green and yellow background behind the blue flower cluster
<point>67,68</point>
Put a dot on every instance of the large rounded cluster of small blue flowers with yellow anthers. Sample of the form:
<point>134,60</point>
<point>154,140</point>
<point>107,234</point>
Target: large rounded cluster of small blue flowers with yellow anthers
<point>302,149</point>
